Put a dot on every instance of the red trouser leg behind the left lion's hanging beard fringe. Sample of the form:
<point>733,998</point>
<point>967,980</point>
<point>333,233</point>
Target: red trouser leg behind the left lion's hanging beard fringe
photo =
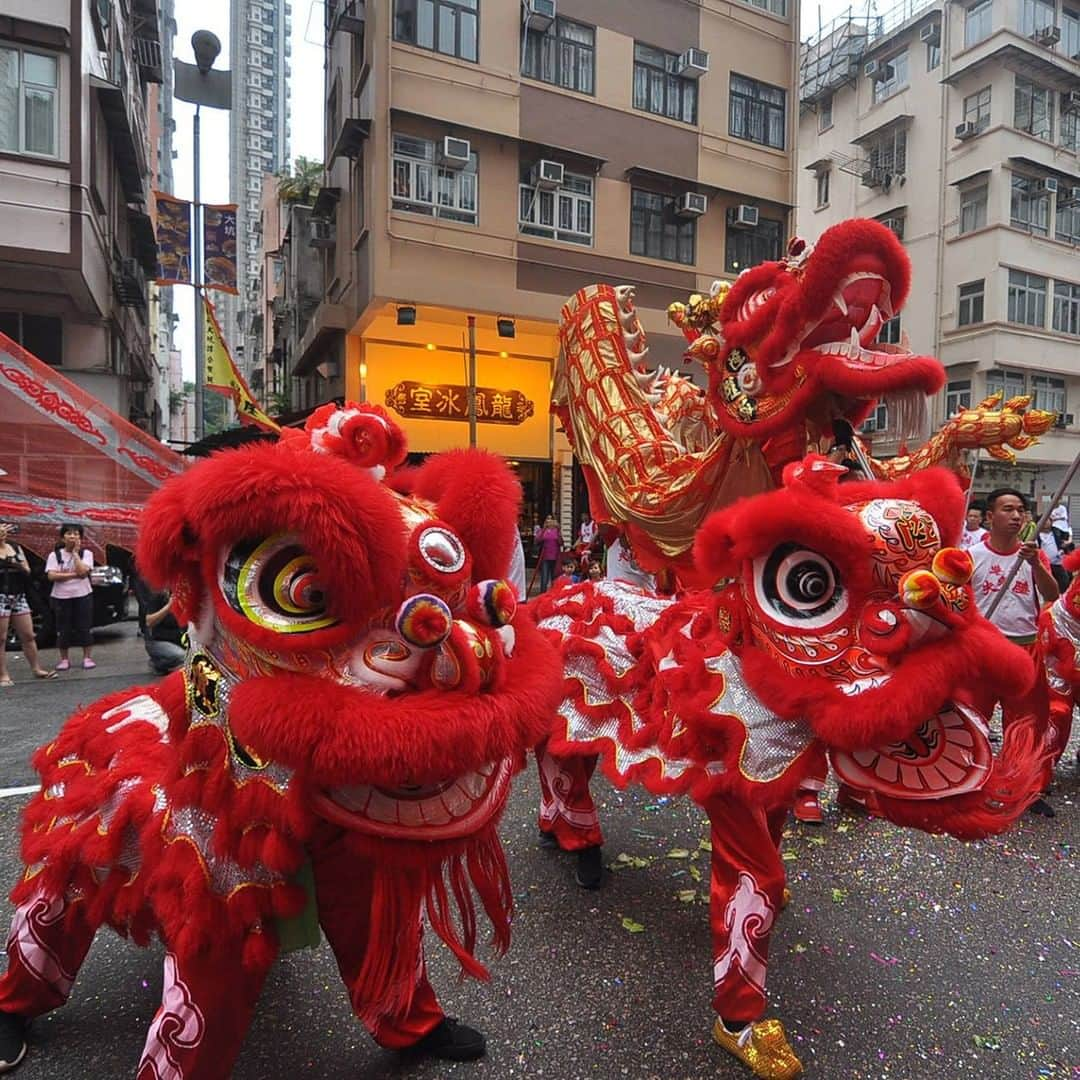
<point>343,886</point>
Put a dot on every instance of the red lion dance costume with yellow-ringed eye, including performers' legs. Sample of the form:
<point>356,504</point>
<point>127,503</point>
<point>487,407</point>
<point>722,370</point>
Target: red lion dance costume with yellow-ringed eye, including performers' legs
<point>340,745</point>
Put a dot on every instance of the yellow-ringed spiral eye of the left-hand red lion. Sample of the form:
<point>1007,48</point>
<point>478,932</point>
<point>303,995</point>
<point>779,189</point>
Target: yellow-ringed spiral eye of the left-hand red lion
<point>275,585</point>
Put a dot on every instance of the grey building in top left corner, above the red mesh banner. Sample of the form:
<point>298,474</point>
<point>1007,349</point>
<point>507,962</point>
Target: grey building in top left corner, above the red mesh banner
<point>76,238</point>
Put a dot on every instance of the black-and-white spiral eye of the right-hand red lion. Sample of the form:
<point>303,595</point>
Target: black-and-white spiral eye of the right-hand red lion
<point>799,587</point>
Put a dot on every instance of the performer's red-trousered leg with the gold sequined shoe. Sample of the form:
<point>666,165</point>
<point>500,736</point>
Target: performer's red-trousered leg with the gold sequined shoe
<point>747,893</point>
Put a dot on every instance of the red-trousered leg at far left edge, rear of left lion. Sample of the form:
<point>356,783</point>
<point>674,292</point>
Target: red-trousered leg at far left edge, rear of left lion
<point>48,943</point>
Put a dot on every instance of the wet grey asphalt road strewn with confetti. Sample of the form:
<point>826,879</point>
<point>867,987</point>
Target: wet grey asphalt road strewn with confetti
<point>902,956</point>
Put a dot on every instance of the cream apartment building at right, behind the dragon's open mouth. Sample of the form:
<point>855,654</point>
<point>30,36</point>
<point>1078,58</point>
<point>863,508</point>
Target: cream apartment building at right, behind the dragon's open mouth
<point>958,125</point>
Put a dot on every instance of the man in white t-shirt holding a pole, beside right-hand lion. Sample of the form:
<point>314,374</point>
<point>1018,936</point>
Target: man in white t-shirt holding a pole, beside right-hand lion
<point>1017,616</point>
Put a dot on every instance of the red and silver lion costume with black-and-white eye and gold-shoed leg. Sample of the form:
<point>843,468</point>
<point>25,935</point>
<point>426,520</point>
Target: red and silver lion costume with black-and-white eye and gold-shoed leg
<point>847,631</point>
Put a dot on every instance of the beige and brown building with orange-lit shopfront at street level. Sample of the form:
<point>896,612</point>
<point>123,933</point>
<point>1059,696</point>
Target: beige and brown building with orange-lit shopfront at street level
<point>490,159</point>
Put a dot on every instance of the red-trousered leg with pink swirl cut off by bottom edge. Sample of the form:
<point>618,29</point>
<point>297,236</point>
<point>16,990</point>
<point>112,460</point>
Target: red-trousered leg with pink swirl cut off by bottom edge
<point>207,1007</point>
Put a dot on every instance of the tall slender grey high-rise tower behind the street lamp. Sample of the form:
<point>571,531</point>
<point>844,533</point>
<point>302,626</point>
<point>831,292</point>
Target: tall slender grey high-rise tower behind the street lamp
<point>260,123</point>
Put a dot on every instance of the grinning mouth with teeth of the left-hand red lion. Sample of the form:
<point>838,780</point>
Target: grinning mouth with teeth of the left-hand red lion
<point>451,809</point>
